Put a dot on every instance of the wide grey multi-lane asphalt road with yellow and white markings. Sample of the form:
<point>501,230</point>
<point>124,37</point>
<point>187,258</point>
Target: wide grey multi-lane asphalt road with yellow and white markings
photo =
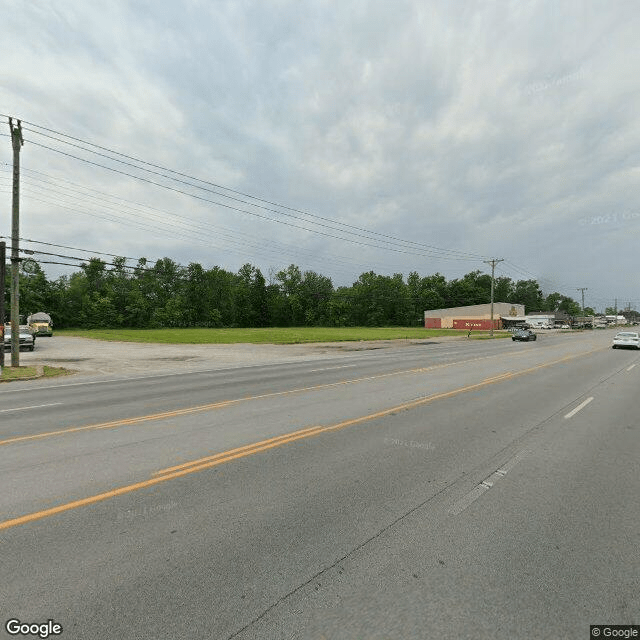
<point>443,489</point>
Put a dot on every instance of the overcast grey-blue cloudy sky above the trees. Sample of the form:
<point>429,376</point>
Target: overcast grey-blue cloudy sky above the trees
<point>340,136</point>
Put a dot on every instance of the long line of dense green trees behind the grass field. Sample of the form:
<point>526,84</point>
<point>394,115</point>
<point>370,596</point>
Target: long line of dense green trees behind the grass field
<point>166,294</point>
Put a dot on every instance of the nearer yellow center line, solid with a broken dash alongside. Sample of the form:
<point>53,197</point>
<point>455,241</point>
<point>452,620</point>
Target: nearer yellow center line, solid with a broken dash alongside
<point>242,452</point>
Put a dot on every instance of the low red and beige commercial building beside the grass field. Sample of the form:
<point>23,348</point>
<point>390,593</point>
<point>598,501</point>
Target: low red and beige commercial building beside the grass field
<point>473,317</point>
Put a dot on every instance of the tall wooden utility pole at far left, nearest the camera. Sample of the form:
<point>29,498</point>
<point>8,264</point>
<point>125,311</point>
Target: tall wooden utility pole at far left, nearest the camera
<point>17,142</point>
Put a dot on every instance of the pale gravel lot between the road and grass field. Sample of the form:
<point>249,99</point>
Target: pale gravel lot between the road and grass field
<point>95,357</point>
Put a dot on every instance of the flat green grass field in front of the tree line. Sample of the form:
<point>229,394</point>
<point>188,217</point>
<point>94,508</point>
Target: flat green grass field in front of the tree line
<point>297,335</point>
